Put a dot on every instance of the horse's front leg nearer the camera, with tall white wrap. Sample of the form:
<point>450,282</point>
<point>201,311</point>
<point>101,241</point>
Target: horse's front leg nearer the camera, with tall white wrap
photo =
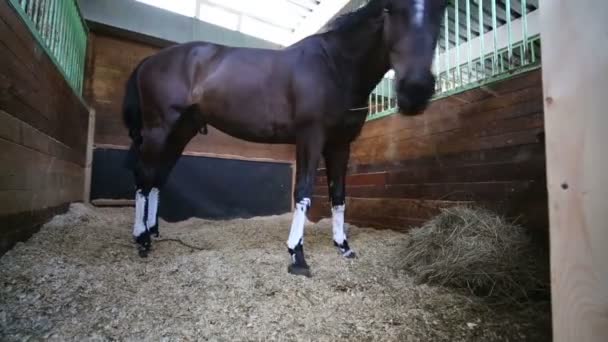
<point>309,144</point>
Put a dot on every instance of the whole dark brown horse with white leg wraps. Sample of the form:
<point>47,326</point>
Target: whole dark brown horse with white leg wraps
<point>303,94</point>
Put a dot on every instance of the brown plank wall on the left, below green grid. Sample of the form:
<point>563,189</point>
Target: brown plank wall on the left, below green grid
<point>43,133</point>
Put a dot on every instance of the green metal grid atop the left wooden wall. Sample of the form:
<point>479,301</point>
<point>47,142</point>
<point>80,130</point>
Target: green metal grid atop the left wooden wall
<point>60,29</point>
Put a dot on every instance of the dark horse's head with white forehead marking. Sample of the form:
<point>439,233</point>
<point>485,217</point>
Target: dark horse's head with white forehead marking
<point>411,28</point>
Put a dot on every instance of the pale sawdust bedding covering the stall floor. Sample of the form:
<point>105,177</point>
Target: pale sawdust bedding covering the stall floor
<point>80,278</point>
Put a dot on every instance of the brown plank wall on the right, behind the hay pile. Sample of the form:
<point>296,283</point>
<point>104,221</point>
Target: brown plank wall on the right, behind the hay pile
<point>484,145</point>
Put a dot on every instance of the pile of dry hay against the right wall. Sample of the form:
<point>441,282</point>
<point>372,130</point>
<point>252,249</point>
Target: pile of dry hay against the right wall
<point>477,250</point>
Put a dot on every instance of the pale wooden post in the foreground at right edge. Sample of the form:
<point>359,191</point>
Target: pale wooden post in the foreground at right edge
<point>575,83</point>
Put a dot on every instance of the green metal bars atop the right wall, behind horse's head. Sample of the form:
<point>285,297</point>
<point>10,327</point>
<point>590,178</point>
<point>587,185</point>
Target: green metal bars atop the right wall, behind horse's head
<point>465,20</point>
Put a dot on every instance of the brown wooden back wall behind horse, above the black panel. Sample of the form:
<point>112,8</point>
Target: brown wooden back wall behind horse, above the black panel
<point>111,61</point>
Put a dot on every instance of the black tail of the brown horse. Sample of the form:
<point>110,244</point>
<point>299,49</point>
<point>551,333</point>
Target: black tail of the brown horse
<point>132,116</point>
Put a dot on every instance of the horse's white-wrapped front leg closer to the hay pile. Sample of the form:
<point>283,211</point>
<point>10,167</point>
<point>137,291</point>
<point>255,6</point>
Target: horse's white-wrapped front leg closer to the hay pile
<point>336,160</point>
